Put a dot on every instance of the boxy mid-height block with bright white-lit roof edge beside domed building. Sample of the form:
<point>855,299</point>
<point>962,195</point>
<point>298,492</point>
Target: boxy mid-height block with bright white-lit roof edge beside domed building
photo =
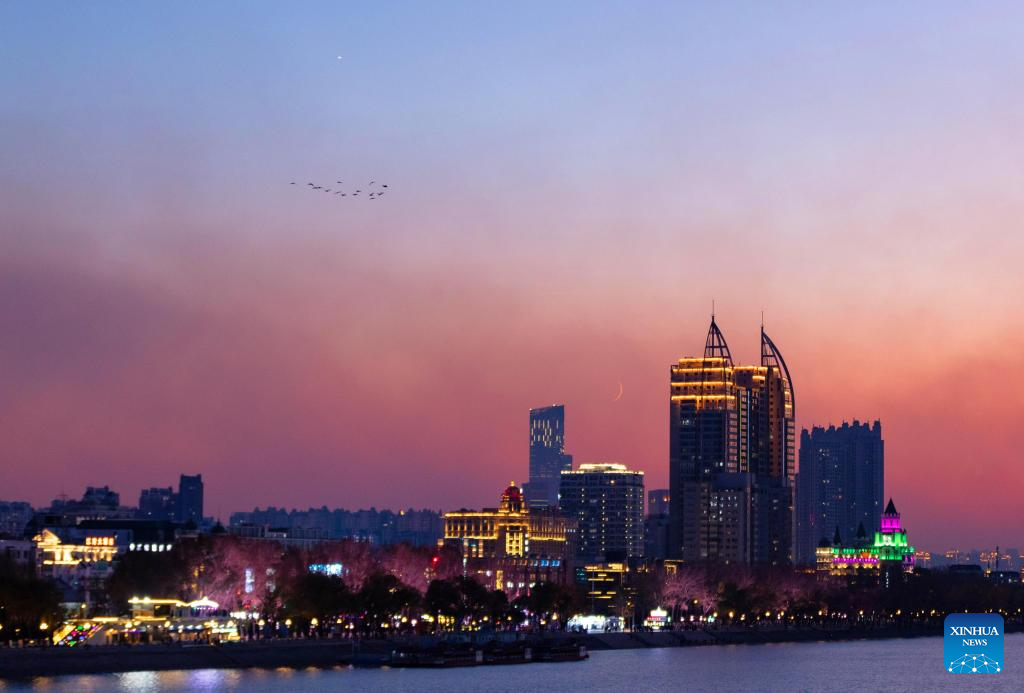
<point>607,501</point>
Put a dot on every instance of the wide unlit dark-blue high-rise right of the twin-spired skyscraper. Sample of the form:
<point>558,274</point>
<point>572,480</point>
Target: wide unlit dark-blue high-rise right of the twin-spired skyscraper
<point>840,485</point>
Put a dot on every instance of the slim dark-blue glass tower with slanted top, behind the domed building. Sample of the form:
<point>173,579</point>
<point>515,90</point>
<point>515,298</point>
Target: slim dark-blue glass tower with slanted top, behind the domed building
<point>547,456</point>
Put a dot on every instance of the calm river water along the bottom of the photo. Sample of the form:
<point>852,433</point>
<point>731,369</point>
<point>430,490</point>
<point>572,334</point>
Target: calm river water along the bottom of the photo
<point>865,666</point>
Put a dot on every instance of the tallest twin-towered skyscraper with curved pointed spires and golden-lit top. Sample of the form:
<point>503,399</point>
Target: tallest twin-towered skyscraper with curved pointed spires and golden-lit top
<point>733,457</point>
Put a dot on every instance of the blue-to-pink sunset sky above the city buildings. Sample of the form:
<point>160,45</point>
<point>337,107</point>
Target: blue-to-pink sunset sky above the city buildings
<point>570,191</point>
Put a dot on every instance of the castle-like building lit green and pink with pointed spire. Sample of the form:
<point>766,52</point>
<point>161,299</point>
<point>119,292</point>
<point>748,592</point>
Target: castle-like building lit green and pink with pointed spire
<point>883,560</point>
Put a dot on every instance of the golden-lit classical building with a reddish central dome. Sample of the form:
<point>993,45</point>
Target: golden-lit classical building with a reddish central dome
<point>511,547</point>
